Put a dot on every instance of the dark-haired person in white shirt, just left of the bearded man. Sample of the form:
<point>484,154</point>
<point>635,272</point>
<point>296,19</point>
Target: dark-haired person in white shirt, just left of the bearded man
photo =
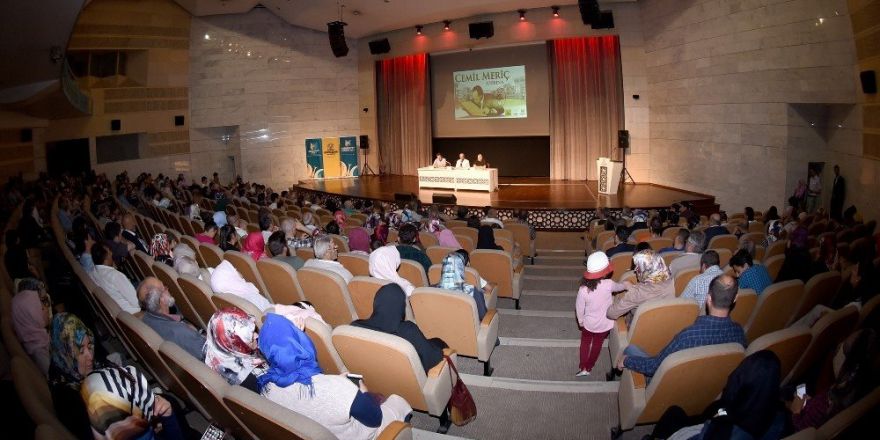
<point>104,274</point>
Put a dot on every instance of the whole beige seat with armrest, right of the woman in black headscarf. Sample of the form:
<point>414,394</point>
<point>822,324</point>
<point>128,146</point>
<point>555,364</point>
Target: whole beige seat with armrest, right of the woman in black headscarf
<point>452,317</point>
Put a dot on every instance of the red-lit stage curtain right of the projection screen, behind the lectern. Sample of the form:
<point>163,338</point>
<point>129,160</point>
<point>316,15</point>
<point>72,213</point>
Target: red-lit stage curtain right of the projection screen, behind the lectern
<point>586,104</point>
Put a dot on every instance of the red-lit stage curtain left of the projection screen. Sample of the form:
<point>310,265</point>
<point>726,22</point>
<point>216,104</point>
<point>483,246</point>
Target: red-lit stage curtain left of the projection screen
<point>404,100</point>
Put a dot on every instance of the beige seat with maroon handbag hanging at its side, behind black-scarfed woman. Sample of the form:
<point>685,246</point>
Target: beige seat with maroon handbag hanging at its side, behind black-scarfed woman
<point>390,365</point>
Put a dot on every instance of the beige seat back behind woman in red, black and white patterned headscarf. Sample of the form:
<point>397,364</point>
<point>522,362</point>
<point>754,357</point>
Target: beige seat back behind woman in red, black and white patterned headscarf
<point>204,386</point>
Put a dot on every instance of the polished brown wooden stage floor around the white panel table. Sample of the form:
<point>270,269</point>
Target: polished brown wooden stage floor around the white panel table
<point>532,193</point>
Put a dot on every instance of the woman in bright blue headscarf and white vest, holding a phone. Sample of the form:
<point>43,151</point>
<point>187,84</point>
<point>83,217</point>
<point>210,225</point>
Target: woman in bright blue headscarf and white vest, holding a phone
<point>294,380</point>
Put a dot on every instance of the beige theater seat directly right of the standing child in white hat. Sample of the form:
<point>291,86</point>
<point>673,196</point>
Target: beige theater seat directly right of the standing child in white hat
<point>654,325</point>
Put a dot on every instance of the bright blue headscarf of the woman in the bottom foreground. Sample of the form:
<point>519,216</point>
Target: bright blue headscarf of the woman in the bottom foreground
<point>289,352</point>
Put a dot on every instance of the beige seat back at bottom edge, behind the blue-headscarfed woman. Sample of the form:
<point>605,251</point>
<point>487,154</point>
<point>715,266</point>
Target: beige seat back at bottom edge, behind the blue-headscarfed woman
<point>269,420</point>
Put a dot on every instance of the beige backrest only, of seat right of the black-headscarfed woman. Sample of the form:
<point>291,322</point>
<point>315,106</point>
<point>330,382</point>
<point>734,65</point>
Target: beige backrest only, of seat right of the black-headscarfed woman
<point>450,316</point>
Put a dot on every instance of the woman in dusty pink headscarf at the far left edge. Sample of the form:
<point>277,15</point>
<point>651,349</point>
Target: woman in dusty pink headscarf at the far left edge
<point>31,314</point>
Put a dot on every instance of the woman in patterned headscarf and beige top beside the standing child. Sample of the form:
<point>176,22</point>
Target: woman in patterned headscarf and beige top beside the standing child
<point>654,282</point>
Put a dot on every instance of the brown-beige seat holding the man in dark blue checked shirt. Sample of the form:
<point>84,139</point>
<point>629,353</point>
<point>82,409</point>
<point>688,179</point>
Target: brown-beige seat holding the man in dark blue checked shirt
<point>691,379</point>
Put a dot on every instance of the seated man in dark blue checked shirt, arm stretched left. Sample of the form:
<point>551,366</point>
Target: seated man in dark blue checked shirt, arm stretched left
<point>716,327</point>
